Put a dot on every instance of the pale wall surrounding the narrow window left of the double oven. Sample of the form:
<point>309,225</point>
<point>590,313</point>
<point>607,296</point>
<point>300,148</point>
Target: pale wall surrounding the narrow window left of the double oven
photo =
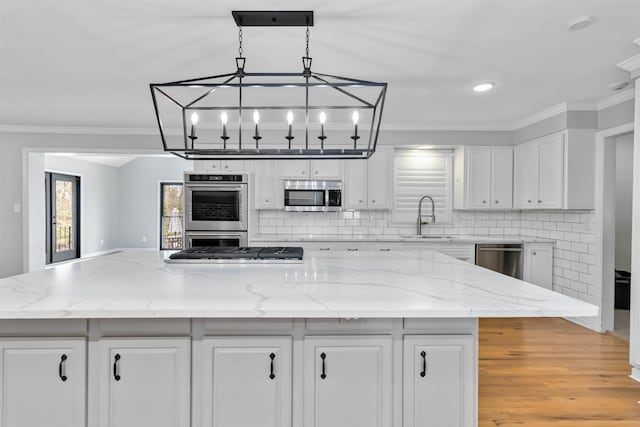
<point>139,189</point>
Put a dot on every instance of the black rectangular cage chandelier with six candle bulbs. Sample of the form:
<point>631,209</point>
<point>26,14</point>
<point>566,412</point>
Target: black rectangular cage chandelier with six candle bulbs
<point>253,115</point>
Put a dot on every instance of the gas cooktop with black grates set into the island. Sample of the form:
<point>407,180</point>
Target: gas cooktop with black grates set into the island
<point>211,254</point>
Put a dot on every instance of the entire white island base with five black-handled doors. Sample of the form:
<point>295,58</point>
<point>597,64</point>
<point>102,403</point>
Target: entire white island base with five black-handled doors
<point>239,372</point>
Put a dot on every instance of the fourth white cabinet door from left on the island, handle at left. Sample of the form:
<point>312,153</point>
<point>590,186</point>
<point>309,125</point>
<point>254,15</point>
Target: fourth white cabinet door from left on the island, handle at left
<point>347,381</point>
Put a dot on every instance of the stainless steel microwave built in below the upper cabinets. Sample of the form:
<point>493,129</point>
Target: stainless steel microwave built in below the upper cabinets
<point>313,196</point>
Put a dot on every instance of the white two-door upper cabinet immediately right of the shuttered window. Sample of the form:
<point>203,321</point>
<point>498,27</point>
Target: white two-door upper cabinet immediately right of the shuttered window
<point>483,178</point>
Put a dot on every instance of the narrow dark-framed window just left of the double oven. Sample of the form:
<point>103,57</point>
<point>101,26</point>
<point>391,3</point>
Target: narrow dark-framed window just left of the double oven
<point>171,210</point>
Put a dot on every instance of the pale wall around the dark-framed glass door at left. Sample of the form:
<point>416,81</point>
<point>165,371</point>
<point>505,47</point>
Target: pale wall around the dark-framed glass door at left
<point>99,204</point>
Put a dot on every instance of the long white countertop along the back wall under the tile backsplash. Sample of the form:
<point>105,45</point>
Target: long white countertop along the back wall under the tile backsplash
<point>399,239</point>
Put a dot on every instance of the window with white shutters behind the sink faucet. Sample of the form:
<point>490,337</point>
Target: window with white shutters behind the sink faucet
<point>419,173</point>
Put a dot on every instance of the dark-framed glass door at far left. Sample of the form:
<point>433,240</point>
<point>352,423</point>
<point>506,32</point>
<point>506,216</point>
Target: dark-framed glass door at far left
<point>63,217</point>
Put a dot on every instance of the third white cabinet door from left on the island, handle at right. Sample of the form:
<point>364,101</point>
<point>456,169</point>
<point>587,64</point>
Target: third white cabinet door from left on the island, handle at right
<point>246,382</point>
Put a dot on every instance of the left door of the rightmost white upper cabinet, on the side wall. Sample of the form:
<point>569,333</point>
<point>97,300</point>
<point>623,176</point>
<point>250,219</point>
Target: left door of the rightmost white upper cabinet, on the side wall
<point>525,183</point>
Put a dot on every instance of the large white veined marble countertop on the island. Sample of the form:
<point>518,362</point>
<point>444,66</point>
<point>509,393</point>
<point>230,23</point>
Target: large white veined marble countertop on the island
<point>138,283</point>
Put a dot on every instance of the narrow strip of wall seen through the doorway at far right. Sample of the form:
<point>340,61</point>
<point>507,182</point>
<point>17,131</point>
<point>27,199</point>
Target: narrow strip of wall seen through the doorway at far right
<point>624,192</point>
